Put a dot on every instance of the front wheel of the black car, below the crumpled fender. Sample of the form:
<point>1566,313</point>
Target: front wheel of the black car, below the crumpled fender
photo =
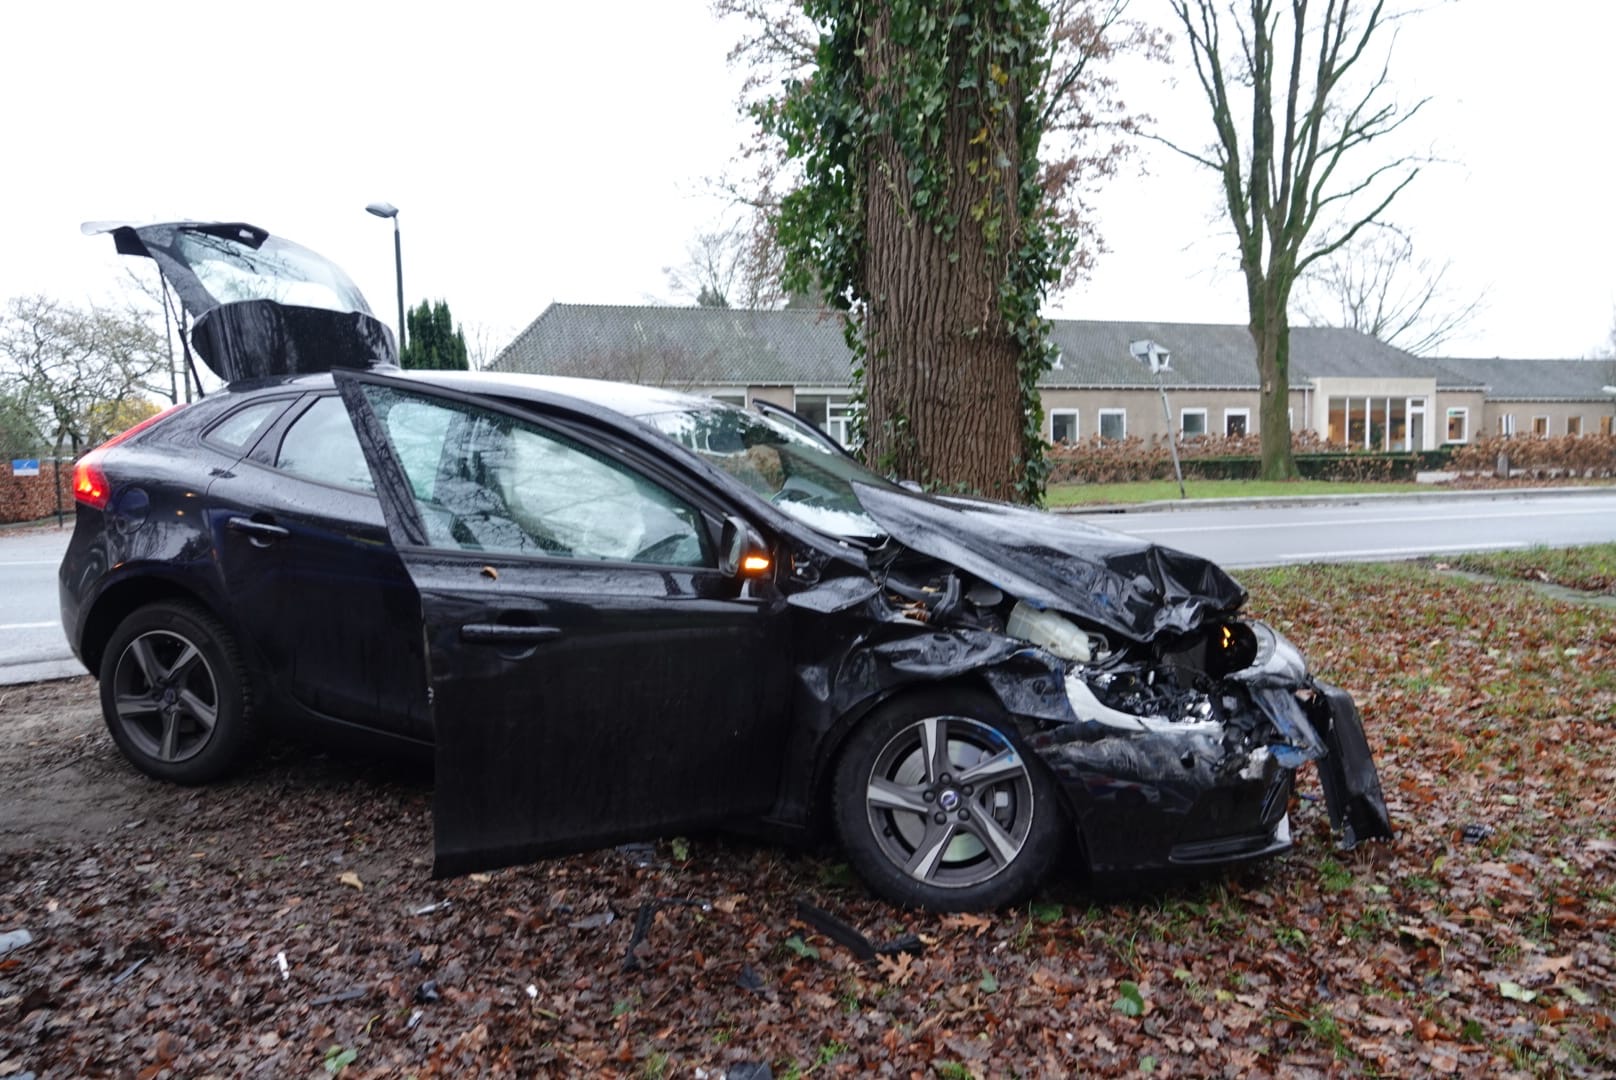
<point>1003,825</point>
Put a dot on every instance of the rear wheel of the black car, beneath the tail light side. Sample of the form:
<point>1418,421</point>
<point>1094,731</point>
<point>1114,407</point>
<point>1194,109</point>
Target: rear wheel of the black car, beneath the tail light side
<point>175,694</point>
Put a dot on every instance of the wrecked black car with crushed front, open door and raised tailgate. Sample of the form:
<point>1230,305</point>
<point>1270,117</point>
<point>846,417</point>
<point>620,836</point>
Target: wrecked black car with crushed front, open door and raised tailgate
<point>615,612</point>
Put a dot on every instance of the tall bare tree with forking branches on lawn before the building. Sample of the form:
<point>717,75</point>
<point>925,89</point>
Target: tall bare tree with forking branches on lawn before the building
<point>1297,99</point>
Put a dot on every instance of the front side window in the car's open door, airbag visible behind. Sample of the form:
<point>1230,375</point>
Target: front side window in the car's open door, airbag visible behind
<point>489,483</point>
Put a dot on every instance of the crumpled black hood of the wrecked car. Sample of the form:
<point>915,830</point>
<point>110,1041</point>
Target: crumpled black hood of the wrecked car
<point>1114,581</point>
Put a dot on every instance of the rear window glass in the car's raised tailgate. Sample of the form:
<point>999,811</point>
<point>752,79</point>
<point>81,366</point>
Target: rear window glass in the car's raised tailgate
<point>235,269</point>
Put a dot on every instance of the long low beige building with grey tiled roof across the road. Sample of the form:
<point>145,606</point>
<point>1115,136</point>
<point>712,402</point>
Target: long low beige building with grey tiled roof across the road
<point>1345,386</point>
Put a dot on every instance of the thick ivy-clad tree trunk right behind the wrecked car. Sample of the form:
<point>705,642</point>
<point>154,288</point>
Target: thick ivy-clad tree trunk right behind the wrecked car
<point>924,219</point>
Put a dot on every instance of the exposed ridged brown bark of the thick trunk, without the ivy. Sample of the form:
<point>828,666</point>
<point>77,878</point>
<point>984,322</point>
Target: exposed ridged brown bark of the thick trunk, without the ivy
<point>941,371</point>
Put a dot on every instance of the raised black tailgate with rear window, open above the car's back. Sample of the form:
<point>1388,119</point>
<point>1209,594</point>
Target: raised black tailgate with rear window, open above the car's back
<point>261,306</point>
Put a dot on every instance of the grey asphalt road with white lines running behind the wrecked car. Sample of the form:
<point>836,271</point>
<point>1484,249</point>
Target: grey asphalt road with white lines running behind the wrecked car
<point>1235,536</point>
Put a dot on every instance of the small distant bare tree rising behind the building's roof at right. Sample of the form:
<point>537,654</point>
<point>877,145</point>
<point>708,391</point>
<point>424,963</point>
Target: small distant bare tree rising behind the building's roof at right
<point>1379,287</point>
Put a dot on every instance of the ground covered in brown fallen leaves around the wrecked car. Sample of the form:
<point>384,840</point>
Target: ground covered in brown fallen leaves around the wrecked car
<point>1484,942</point>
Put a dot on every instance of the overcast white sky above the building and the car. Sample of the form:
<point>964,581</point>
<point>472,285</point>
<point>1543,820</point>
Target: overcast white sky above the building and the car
<point>560,151</point>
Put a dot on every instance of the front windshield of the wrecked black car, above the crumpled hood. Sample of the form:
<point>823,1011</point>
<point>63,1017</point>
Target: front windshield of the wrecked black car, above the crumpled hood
<point>807,479</point>
